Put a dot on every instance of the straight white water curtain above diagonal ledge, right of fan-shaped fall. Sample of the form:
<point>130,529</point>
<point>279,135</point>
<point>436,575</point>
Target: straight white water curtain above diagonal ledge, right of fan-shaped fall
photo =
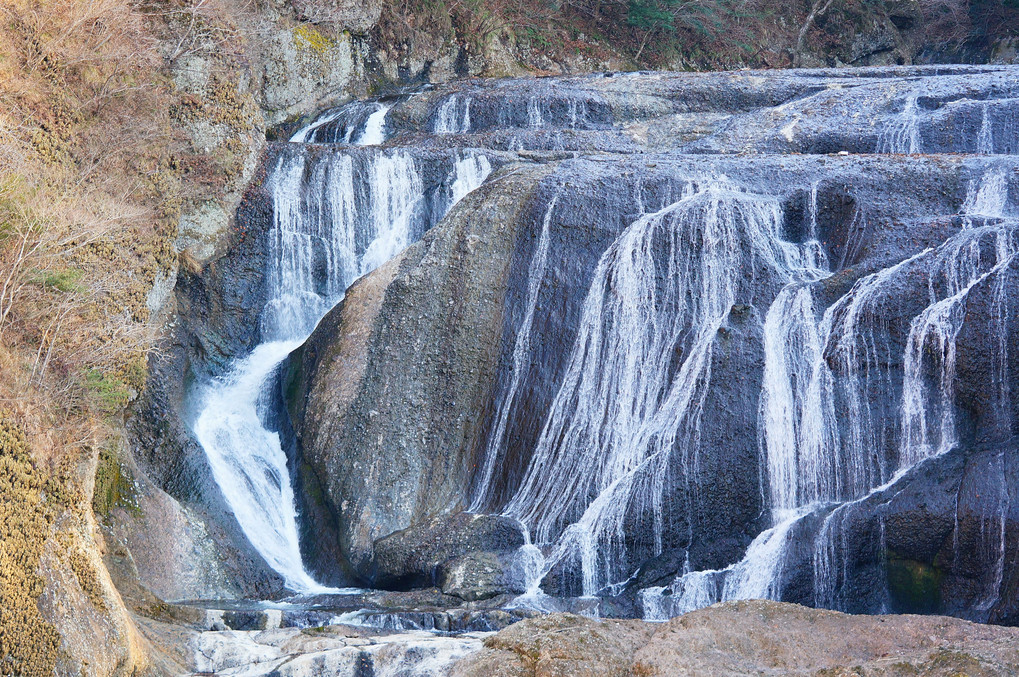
<point>811,367</point>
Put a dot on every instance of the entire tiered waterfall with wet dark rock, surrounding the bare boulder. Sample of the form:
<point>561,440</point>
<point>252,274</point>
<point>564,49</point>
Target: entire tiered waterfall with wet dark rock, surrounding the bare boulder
<point>841,381</point>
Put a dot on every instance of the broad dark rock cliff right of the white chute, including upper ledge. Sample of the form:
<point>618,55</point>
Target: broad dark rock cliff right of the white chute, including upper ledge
<point>441,376</point>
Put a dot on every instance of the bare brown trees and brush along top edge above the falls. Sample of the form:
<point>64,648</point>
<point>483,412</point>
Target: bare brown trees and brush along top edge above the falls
<point>705,34</point>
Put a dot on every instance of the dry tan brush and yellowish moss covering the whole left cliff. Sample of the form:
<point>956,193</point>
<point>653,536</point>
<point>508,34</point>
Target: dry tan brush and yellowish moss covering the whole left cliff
<point>88,205</point>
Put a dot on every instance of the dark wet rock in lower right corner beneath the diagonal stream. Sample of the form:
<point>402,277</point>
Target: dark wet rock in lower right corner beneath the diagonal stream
<point>934,545</point>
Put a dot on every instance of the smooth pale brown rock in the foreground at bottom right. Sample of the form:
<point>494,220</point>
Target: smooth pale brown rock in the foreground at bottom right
<point>754,638</point>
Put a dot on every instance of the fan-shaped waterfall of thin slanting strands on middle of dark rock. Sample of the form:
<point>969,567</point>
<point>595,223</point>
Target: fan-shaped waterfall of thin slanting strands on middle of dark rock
<point>638,375</point>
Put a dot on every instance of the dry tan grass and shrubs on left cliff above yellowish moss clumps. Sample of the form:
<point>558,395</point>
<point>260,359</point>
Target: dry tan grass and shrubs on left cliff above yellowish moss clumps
<point>87,206</point>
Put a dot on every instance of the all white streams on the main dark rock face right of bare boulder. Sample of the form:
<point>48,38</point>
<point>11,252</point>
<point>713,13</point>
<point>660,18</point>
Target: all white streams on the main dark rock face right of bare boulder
<point>621,415</point>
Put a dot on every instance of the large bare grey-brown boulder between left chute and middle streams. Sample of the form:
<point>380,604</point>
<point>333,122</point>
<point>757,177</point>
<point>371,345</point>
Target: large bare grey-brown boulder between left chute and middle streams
<point>368,421</point>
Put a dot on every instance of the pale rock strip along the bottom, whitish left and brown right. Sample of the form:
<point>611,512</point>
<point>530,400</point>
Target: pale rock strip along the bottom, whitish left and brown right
<point>753,638</point>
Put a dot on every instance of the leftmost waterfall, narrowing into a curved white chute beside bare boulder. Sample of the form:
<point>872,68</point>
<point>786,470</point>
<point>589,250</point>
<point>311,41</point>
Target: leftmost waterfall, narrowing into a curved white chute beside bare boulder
<point>335,219</point>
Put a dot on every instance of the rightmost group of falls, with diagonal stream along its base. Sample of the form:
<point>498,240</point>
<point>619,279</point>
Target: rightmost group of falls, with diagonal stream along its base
<point>822,441</point>
